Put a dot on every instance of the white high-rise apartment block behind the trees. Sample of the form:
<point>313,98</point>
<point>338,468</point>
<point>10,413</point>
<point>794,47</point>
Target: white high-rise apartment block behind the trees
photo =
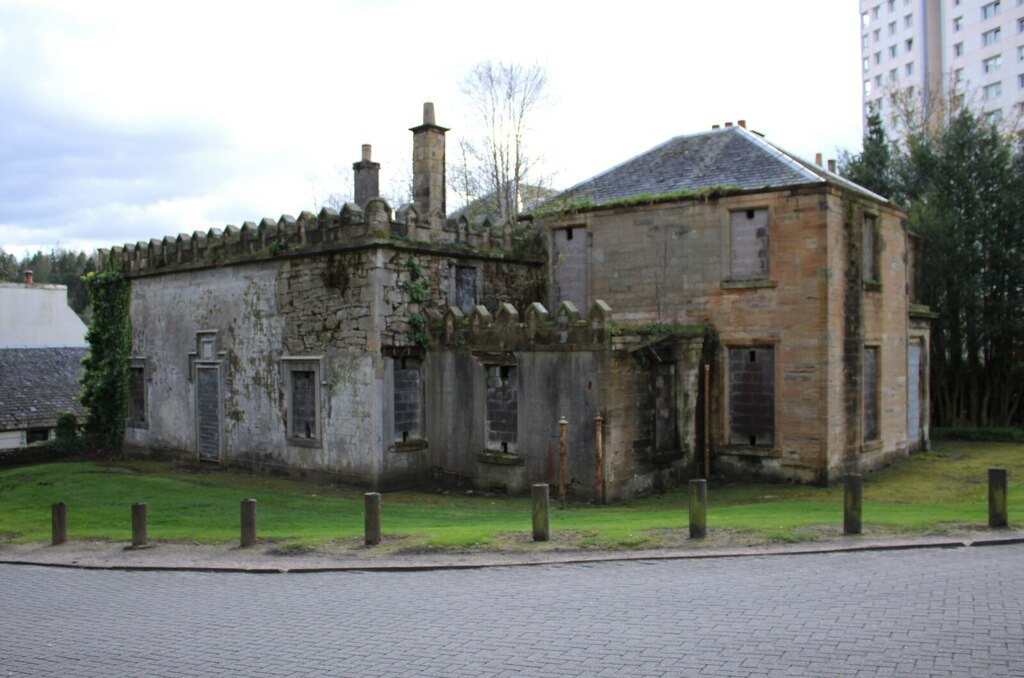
<point>923,52</point>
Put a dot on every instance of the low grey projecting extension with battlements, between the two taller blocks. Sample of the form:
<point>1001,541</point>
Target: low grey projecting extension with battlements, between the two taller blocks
<point>561,367</point>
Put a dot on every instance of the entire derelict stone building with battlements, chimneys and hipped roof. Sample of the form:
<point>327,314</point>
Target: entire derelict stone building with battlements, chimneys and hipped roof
<point>714,299</point>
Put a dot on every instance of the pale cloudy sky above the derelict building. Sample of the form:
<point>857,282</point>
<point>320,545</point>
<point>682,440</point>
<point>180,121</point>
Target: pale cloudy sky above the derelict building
<point>126,121</point>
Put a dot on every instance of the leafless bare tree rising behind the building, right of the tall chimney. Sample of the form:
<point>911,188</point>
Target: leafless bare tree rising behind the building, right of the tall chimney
<point>494,165</point>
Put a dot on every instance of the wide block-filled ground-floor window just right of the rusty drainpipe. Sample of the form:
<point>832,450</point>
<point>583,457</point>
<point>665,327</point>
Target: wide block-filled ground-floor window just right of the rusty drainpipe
<point>752,396</point>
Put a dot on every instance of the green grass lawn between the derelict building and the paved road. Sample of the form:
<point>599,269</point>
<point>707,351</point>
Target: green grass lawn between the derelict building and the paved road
<point>931,492</point>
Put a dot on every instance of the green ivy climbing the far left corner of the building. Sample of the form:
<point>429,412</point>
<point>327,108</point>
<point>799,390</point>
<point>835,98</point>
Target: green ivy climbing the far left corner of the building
<point>106,382</point>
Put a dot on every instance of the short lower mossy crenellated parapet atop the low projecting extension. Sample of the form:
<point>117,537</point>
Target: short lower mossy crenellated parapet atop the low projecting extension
<point>535,329</point>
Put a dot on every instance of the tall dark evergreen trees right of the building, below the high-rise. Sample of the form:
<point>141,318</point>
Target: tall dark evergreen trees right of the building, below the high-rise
<point>961,179</point>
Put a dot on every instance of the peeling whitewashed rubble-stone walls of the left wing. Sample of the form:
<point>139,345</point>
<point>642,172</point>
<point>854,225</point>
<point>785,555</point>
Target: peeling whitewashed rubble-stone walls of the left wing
<point>346,309</point>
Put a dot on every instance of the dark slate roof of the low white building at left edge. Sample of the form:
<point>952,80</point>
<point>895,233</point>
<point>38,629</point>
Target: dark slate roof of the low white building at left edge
<point>37,385</point>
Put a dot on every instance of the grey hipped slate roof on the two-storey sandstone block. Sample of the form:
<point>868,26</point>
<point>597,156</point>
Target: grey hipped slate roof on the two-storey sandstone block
<point>728,157</point>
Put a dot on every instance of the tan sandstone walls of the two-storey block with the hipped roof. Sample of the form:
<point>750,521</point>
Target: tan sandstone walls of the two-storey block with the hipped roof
<point>673,264</point>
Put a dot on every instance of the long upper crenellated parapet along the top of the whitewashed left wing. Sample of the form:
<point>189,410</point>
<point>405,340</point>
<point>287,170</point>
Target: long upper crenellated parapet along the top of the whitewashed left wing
<point>312,234</point>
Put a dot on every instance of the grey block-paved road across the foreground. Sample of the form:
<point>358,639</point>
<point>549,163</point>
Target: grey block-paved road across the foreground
<point>921,613</point>
